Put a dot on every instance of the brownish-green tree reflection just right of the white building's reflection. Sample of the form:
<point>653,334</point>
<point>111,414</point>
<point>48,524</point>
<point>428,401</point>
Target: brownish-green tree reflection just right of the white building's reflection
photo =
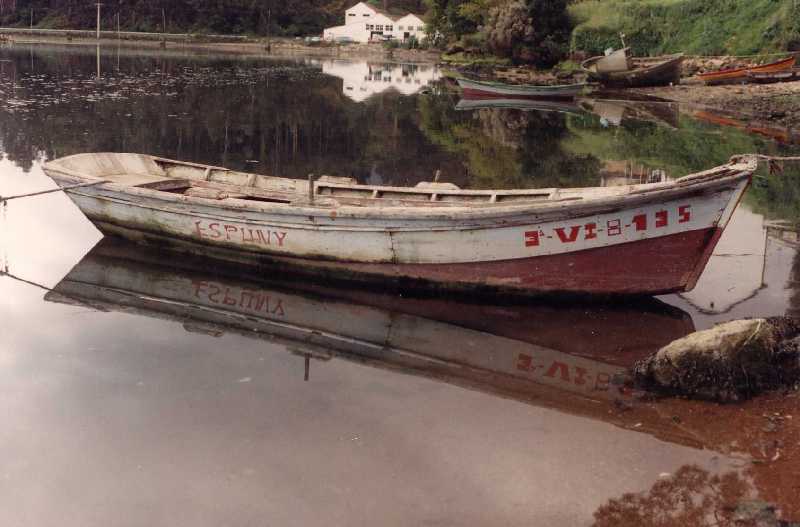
<point>507,148</point>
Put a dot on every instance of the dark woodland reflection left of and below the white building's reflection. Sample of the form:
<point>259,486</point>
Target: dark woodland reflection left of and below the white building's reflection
<point>291,124</point>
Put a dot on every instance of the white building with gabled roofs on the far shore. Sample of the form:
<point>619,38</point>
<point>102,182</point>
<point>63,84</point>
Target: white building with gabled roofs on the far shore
<point>365,23</point>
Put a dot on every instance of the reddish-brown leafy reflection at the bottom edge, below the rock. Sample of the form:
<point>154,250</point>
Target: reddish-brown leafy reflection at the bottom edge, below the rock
<point>689,498</point>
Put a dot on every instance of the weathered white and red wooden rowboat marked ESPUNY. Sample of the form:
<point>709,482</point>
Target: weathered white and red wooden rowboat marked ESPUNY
<point>638,239</point>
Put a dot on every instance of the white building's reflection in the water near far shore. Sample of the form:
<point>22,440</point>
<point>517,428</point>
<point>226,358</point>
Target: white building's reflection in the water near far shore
<point>364,79</point>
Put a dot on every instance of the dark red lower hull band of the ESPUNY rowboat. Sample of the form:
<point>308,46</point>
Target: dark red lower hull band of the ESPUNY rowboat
<point>648,267</point>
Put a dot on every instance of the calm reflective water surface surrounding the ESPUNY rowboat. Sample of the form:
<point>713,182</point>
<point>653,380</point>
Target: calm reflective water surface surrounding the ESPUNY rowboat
<point>135,394</point>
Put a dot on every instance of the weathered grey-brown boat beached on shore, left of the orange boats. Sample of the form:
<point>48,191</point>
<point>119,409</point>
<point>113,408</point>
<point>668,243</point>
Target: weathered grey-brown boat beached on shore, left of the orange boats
<point>641,71</point>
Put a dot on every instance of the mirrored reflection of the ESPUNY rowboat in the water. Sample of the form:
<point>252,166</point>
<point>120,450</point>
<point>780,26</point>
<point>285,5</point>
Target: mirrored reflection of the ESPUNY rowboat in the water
<point>567,356</point>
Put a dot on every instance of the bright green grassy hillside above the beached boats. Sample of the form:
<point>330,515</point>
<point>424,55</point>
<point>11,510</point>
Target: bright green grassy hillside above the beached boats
<point>703,27</point>
